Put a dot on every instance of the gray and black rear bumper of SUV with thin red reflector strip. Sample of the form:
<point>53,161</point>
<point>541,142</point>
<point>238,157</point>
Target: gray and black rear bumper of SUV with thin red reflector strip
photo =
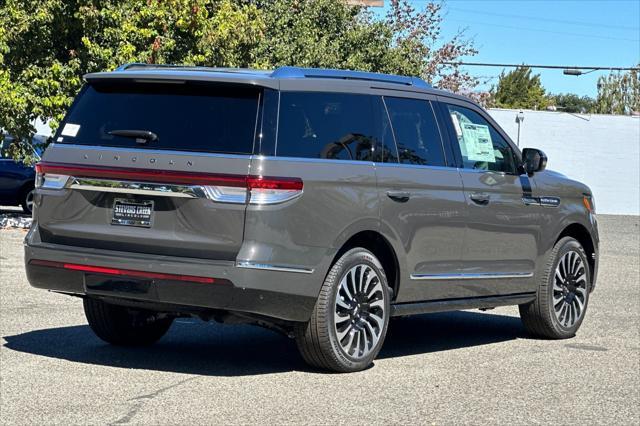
<point>277,294</point>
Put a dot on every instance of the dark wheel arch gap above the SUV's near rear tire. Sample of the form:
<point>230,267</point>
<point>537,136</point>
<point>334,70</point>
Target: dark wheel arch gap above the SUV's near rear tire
<point>377,244</point>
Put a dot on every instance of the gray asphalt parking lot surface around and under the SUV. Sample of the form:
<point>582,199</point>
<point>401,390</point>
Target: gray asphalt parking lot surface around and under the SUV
<point>463,367</point>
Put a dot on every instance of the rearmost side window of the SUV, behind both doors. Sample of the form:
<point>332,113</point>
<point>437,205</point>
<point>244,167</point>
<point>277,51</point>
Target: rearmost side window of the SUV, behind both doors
<point>328,125</point>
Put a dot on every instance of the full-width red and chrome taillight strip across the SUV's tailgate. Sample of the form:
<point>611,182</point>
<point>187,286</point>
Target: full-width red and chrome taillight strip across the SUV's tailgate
<point>222,188</point>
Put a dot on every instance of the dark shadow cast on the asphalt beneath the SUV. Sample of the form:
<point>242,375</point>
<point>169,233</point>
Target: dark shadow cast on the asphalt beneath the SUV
<point>195,347</point>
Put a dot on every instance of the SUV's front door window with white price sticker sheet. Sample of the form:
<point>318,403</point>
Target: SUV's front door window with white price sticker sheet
<point>481,146</point>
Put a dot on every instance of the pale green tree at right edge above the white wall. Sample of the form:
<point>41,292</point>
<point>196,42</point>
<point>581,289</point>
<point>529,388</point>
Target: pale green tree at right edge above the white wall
<point>619,93</point>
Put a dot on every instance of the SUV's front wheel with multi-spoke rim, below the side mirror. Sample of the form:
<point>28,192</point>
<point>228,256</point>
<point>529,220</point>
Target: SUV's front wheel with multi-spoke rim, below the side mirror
<point>563,288</point>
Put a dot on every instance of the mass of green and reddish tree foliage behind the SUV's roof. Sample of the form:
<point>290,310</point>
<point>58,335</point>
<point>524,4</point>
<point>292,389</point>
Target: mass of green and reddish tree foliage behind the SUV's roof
<point>46,46</point>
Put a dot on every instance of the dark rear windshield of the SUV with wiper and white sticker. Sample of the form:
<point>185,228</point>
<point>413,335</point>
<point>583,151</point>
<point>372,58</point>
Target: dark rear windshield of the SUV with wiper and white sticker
<point>184,117</point>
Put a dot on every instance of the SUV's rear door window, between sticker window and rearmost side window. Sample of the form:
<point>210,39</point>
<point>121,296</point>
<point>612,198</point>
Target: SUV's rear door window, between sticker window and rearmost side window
<point>416,131</point>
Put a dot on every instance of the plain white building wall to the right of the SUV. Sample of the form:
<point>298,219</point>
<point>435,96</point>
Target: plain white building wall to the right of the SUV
<point>603,151</point>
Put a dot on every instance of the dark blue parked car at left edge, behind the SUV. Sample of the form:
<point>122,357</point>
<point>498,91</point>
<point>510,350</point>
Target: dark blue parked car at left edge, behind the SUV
<point>16,179</point>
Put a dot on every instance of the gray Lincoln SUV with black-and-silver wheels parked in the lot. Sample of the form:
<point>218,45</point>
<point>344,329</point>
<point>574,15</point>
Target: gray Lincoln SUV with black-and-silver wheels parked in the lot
<point>319,203</point>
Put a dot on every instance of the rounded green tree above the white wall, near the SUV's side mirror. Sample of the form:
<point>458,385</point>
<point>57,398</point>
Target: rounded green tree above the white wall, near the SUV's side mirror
<point>519,89</point>
